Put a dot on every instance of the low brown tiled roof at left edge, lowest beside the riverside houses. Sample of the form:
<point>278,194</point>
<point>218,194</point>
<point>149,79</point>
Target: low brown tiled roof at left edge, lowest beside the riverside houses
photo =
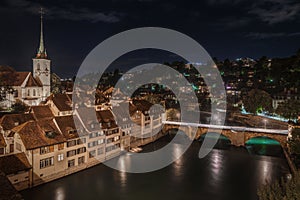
<point>14,163</point>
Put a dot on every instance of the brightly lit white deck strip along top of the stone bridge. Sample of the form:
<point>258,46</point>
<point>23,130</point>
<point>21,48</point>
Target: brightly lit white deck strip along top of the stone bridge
<point>233,128</point>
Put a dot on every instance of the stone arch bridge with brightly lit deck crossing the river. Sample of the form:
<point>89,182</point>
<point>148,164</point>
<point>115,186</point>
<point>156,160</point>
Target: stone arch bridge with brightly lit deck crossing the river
<point>238,135</point>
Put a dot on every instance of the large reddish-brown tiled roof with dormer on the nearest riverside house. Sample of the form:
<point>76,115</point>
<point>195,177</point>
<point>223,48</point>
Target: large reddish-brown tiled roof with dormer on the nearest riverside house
<point>34,135</point>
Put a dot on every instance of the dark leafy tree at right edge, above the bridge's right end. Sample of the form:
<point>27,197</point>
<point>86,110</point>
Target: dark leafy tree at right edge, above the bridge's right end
<point>289,109</point>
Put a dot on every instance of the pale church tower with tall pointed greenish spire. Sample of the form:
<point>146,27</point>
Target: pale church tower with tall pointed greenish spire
<point>41,65</point>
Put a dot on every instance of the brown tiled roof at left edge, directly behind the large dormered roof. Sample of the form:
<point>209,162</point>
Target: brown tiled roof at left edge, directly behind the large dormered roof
<point>10,121</point>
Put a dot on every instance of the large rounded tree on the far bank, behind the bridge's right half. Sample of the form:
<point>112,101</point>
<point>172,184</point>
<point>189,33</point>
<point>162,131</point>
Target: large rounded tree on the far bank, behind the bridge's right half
<point>257,101</point>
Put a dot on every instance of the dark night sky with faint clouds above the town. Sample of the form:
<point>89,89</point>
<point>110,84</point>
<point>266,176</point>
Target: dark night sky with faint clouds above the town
<point>225,28</point>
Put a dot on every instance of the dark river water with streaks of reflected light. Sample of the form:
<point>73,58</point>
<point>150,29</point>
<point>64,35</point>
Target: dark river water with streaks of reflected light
<point>226,173</point>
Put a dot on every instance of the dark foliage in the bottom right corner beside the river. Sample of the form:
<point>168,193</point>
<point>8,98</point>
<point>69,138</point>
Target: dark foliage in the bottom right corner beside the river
<point>283,190</point>
